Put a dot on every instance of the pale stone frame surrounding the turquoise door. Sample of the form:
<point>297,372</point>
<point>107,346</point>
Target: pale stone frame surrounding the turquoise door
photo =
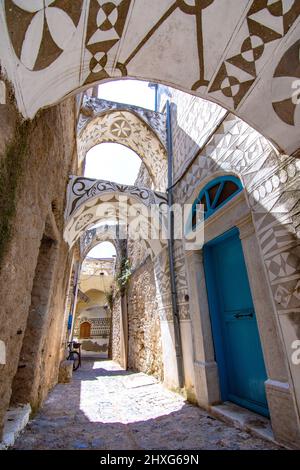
<point>236,213</point>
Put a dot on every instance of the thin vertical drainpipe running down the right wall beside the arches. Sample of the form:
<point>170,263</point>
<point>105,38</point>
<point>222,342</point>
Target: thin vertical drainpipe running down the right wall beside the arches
<point>175,311</point>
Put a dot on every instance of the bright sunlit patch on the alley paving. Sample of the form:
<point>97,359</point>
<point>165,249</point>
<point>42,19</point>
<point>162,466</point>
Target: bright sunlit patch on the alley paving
<point>117,396</point>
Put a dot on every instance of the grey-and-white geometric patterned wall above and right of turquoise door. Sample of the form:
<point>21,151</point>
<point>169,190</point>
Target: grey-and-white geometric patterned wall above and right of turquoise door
<point>271,194</point>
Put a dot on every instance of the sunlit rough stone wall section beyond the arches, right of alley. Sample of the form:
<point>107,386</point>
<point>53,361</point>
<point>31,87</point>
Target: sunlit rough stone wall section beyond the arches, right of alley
<point>144,336</point>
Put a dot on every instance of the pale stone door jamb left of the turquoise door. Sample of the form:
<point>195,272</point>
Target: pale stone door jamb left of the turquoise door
<point>206,370</point>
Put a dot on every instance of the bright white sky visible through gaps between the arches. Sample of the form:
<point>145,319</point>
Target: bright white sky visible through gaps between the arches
<point>115,162</point>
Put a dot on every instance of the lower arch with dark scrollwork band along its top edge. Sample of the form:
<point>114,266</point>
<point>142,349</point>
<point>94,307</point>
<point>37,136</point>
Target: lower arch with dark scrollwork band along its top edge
<point>92,201</point>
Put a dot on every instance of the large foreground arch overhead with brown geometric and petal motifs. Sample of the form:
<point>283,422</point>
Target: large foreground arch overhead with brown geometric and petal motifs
<point>242,54</point>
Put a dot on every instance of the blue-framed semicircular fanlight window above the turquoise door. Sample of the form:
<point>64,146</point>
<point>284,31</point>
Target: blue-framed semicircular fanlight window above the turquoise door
<point>215,194</point>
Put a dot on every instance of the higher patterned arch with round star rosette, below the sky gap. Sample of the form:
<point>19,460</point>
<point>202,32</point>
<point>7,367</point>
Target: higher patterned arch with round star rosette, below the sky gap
<point>129,128</point>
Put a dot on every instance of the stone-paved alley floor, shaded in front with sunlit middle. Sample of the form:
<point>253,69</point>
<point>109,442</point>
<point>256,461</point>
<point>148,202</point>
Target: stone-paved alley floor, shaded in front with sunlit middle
<point>108,408</point>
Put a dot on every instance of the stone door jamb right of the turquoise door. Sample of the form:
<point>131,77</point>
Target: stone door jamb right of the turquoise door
<point>282,406</point>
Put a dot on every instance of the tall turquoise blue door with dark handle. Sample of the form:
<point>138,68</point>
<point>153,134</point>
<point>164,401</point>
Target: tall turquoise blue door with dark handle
<point>236,339</point>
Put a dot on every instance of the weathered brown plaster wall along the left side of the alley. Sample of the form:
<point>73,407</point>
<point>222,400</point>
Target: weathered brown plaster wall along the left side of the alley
<point>36,158</point>
